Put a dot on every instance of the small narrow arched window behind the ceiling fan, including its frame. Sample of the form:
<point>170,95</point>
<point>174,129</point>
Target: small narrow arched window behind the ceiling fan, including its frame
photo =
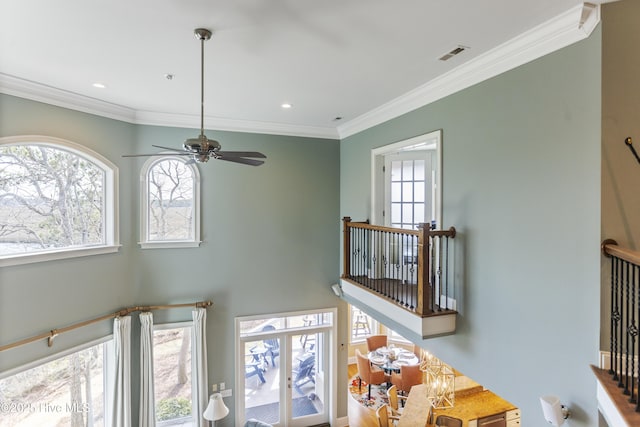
<point>170,203</point>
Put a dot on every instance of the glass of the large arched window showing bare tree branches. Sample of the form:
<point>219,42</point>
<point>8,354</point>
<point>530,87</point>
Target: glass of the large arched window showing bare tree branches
<point>50,198</point>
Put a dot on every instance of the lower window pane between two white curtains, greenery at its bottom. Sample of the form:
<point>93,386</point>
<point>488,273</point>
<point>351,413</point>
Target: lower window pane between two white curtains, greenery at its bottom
<point>172,373</point>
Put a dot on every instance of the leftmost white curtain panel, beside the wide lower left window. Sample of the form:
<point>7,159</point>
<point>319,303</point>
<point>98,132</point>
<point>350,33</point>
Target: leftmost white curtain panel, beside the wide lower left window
<point>121,380</point>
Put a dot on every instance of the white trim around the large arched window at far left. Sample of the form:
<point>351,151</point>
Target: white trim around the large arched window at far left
<point>110,240</point>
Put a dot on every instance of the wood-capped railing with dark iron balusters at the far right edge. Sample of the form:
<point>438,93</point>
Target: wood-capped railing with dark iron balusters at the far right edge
<point>624,313</point>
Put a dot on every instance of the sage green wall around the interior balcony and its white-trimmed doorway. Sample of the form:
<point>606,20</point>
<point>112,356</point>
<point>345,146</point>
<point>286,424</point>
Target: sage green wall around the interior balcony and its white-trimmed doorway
<point>521,184</point>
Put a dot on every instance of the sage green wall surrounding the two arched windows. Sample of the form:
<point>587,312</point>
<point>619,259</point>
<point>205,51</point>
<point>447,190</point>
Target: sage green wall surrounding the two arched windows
<point>268,245</point>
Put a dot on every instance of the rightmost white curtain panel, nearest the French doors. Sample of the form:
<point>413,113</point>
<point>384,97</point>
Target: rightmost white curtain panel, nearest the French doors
<point>199,365</point>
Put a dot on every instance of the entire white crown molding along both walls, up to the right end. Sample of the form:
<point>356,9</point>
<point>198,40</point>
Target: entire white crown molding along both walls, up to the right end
<point>572,26</point>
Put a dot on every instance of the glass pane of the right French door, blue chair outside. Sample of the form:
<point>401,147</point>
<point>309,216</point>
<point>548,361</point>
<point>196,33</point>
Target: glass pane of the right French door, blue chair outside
<point>305,398</point>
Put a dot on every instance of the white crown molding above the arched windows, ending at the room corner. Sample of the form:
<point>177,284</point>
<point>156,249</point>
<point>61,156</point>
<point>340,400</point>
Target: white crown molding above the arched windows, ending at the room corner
<point>21,88</point>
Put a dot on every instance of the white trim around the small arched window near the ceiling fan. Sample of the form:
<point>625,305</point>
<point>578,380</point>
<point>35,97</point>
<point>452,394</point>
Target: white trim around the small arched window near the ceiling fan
<point>144,207</point>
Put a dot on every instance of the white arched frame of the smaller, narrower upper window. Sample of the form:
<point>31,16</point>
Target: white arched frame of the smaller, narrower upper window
<point>192,239</point>
